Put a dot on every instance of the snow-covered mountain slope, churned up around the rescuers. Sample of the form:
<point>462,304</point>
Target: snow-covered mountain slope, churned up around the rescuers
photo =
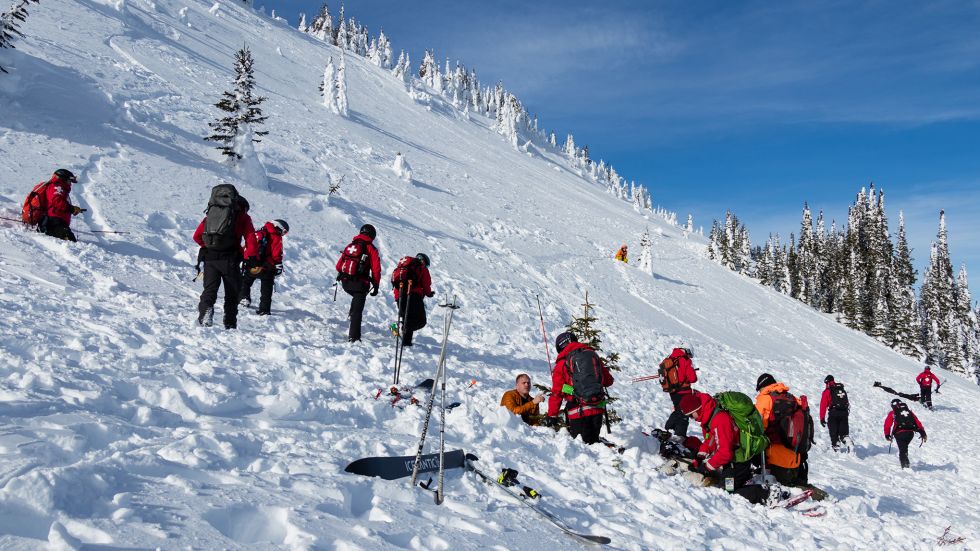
<point>122,424</point>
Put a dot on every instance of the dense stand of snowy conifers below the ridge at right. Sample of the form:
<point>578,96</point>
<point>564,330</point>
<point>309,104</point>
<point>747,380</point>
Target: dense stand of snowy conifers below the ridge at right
<point>867,280</point>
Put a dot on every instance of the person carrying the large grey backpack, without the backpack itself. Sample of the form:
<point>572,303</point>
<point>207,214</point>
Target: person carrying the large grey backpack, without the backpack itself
<point>224,266</point>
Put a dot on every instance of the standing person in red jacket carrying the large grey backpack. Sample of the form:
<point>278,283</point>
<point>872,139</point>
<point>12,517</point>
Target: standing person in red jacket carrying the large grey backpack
<point>226,223</point>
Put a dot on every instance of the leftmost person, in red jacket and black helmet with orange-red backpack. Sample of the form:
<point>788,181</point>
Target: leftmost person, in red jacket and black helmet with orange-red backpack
<point>49,208</point>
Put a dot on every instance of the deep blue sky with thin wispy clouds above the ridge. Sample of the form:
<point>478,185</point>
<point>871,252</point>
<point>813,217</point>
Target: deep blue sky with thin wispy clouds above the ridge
<point>750,106</point>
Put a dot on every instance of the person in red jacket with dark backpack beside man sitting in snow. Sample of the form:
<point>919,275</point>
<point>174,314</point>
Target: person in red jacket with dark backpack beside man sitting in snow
<point>585,406</point>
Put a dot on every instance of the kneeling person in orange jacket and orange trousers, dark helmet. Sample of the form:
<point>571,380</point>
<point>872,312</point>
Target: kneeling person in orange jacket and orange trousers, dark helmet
<point>775,403</point>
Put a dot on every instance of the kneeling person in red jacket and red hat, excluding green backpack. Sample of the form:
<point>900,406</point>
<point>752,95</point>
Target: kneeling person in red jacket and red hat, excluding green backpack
<point>716,454</point>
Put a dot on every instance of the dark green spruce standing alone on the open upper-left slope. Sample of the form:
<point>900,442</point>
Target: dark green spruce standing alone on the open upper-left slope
<point>242,108</point>
